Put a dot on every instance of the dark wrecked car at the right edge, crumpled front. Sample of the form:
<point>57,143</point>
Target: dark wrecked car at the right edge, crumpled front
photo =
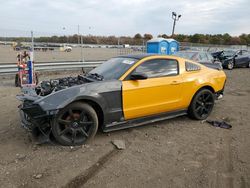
<point>233,58</point>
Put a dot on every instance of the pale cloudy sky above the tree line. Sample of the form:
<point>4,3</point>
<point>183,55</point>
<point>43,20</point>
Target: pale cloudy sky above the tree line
<point>123,17</point>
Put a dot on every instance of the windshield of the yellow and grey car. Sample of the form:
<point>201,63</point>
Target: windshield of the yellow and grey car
<point>113,68</point>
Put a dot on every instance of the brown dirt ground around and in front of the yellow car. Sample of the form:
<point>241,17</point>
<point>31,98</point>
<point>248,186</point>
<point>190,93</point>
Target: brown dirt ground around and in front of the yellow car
<point>175,153</point>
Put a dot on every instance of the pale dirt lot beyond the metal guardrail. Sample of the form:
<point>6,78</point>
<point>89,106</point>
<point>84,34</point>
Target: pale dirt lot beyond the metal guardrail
<point>8,55</point>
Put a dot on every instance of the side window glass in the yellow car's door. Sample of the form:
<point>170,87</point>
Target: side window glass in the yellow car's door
<point>158,68</point>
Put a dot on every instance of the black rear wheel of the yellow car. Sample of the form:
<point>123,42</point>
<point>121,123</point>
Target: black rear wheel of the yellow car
<point>201,105</point>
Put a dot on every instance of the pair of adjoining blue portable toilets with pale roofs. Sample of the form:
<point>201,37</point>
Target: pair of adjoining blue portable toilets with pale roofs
<point>162,46</point>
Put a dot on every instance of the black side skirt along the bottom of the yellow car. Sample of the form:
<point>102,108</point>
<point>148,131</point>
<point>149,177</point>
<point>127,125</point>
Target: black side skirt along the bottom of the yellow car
<point>143,120</point>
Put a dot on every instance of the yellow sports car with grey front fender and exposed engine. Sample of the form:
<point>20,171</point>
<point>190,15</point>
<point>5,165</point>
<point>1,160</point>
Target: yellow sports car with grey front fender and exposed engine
<point>125,91</point>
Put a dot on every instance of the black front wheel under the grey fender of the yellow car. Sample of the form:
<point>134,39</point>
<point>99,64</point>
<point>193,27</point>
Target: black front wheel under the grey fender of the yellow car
<point>75,124</point>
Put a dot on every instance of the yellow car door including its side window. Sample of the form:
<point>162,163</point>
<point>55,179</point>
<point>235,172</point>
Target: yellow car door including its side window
<point>160,92</point>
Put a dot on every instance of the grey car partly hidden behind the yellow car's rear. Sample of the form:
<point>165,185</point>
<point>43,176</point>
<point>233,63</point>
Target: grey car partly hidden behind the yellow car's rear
<point>201,57</point>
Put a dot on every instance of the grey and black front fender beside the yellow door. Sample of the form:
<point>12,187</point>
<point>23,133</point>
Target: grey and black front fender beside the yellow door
<point>107,94</point>
